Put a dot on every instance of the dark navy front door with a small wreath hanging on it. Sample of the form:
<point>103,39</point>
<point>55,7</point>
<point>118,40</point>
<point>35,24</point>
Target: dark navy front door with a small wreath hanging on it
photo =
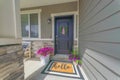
<point>63,34</point>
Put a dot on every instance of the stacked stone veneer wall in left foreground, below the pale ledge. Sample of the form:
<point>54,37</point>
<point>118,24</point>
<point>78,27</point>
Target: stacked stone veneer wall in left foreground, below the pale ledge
<point>11,62</point>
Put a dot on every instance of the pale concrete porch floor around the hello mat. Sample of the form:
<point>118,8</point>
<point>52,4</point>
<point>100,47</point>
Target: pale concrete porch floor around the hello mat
<point>33,68</point>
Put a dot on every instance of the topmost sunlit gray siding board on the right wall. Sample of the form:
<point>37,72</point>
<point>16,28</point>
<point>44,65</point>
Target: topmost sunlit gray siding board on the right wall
<point>105,61</point>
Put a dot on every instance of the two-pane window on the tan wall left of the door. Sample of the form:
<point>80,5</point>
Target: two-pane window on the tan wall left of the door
<point>30,25</point>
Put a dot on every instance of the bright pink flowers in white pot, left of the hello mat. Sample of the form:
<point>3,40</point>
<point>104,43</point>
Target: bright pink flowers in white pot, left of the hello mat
<point>44,54</point>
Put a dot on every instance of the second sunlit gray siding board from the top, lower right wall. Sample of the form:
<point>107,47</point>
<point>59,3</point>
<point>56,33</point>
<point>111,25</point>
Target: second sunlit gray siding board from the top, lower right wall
<point>103,69</point>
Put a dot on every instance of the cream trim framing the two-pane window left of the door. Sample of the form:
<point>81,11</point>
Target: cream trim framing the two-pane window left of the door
<point>38,11</point>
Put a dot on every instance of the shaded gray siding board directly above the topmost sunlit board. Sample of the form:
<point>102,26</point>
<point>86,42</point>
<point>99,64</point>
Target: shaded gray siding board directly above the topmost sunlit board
<point>105,48</point>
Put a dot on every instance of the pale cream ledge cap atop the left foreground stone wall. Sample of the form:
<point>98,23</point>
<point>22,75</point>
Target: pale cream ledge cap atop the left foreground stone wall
<point>7,41</point>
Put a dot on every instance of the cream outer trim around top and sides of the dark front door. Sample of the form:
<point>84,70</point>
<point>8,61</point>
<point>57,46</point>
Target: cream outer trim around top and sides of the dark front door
<point>75,13</point>
